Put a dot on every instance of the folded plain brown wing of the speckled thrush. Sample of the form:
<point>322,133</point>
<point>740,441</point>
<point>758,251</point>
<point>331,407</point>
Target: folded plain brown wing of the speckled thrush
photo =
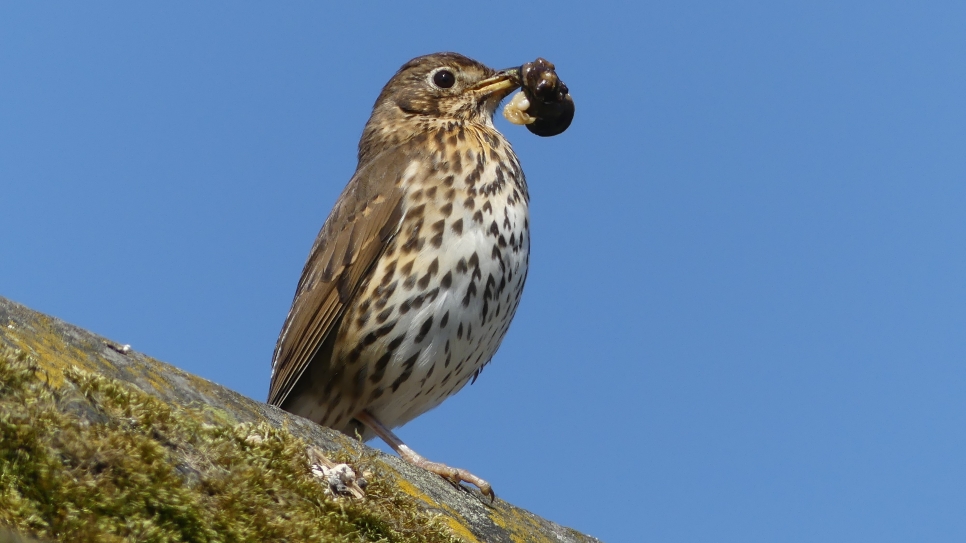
<point>366,216</point>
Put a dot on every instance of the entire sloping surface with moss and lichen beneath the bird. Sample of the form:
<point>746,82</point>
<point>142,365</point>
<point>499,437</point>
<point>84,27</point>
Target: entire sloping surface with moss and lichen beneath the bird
<point>99,443</point>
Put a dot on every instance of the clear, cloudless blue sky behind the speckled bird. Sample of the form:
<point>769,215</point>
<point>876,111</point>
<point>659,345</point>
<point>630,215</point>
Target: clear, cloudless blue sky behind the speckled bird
<point>745,313</point>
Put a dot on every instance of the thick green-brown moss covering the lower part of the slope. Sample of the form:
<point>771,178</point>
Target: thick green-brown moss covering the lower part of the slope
<point>100,461</point>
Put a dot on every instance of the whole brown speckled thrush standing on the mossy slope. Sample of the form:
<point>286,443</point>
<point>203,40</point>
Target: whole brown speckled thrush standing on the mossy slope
<point>416,274</point>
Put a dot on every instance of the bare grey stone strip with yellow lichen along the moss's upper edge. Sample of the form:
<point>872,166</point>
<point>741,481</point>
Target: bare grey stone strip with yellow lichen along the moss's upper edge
<point>57,347</point>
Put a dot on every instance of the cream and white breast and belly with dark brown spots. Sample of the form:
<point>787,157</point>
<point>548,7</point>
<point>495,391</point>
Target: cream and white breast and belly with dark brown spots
<point>442,295</point>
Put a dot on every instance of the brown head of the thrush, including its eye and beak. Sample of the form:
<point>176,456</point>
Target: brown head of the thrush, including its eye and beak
<point>432,91</point>
